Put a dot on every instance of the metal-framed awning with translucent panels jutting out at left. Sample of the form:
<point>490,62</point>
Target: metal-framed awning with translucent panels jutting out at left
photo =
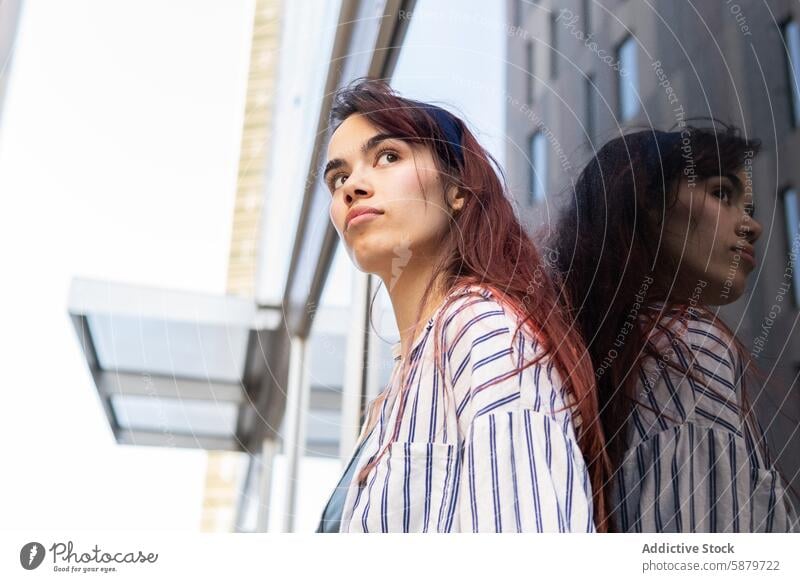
<point>174,368</point>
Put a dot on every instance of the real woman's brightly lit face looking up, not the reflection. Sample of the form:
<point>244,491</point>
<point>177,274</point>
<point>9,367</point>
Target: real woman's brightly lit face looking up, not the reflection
<point>369,169</point>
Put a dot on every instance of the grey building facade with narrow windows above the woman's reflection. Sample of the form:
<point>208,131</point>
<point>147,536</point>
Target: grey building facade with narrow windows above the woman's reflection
<point>721,59</point>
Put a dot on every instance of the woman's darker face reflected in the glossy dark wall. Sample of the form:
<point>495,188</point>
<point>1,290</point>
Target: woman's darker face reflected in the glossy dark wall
<point>710,232</point>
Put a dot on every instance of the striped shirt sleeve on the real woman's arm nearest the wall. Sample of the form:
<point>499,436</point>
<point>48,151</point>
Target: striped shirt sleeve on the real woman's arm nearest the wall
<point>522,470</point>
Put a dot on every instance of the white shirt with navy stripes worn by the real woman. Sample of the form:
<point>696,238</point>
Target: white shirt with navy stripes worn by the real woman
<point>471,456</point>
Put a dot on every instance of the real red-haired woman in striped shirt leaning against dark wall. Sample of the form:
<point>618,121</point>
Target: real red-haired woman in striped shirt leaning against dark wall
<point>478,428</point>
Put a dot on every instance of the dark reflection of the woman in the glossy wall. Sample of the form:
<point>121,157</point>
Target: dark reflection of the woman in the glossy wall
<point>661,229</point>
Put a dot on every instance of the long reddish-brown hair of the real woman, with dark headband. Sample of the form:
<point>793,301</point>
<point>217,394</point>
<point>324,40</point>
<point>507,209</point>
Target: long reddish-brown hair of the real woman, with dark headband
<point>486,246</point>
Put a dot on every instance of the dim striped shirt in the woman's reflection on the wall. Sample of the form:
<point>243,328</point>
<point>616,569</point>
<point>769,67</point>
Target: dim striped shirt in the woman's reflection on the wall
<point>692,464</point>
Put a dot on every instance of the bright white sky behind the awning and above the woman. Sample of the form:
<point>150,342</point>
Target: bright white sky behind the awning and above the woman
<point>118,157</point>
